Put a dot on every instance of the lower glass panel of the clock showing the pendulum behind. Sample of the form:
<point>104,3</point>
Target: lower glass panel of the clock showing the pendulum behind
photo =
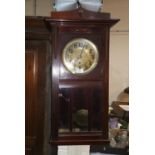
<point>80,108</point>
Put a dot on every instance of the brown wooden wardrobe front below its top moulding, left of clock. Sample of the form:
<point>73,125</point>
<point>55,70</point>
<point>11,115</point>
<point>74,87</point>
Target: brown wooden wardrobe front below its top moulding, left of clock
<point>35,95</point>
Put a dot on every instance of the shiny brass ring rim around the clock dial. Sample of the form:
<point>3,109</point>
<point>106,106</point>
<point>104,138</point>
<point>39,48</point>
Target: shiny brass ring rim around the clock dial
<point>95,62</point>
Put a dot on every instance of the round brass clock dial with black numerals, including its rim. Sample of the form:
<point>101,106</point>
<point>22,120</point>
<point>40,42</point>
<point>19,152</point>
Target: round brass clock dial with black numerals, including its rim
<point>80,56</point>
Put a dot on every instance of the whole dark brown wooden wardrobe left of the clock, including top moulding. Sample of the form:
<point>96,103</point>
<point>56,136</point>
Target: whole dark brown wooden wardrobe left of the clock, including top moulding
<point>37,87</point>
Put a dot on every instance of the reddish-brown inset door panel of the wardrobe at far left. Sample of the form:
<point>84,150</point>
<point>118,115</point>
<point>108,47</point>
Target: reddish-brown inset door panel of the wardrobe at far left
<point>31,69</point>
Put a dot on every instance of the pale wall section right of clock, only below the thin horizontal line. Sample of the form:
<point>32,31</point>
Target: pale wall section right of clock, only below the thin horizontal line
<point>119,70</point>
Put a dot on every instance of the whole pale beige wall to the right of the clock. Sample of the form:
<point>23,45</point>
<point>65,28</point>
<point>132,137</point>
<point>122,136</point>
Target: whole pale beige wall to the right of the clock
<point>119,47</point>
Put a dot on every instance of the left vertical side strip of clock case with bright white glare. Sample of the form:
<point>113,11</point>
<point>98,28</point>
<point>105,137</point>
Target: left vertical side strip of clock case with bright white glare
<point>55,84</point>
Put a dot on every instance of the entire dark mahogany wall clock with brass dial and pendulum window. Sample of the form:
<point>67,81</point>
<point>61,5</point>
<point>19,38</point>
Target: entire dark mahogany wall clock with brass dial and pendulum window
<point>80,75</point>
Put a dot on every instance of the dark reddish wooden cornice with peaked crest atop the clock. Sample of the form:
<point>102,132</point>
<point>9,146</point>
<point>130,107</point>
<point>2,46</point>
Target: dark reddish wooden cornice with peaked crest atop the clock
<point>81,15</point>
